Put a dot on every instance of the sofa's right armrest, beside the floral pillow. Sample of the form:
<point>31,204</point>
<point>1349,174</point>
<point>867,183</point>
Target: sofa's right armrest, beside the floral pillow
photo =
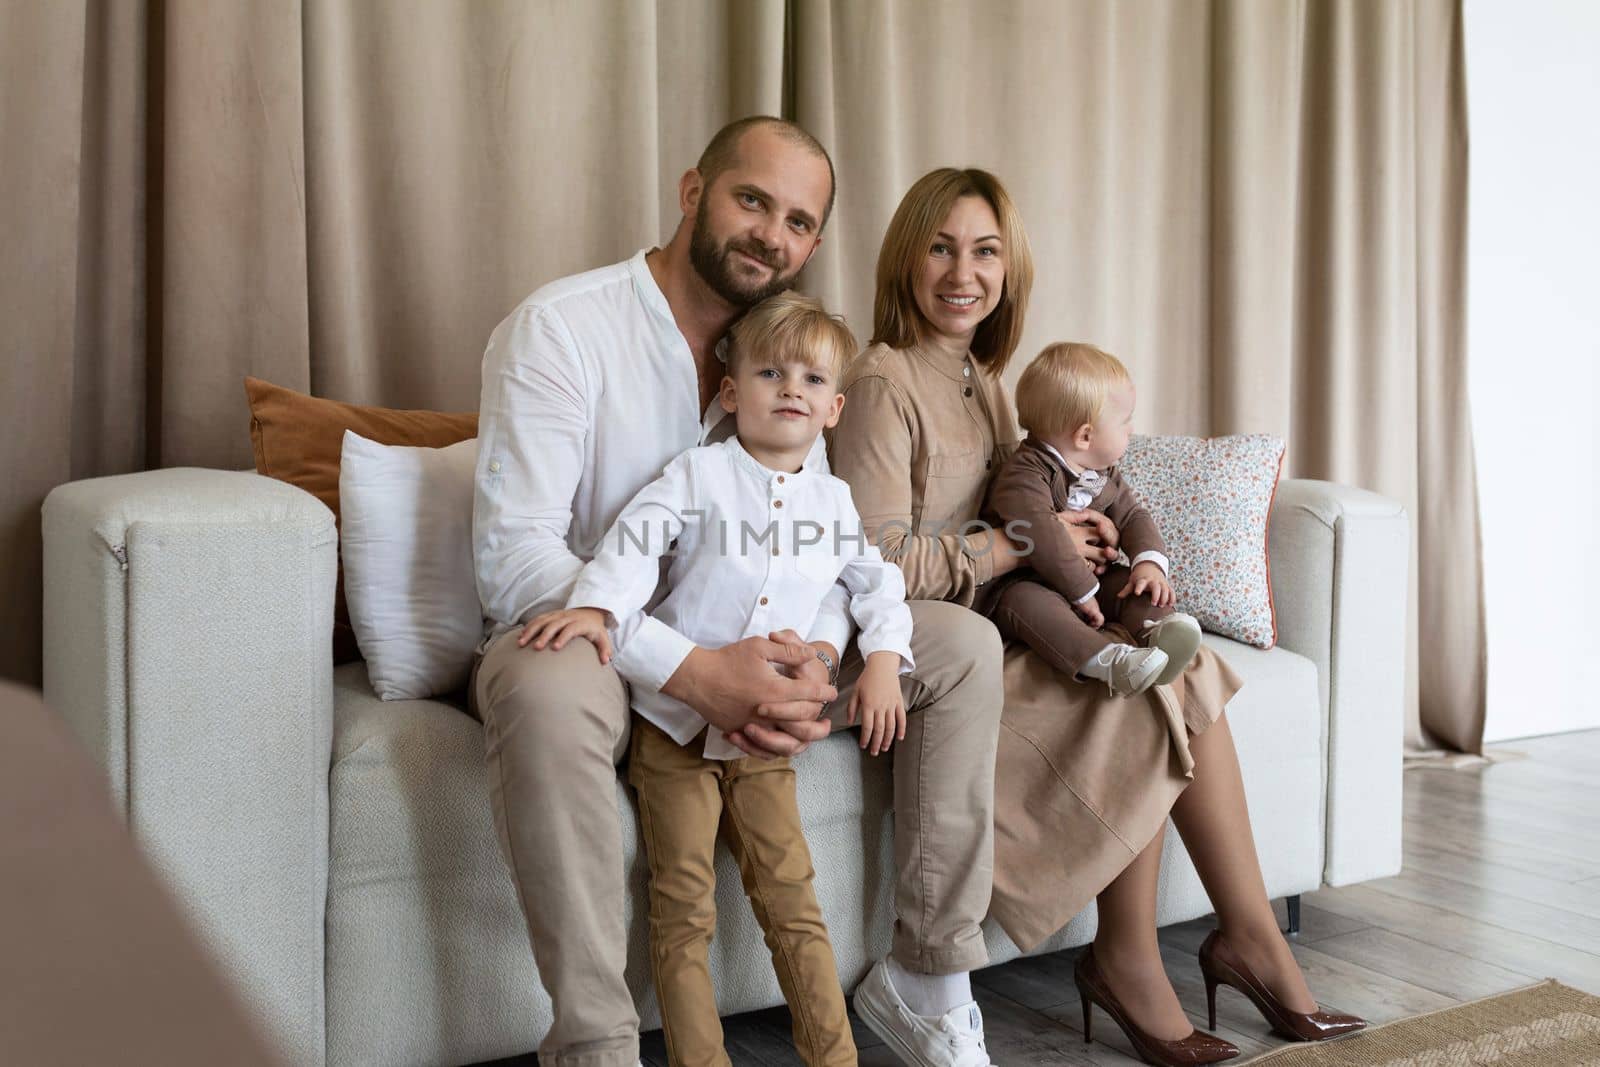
<point>1340,577</point>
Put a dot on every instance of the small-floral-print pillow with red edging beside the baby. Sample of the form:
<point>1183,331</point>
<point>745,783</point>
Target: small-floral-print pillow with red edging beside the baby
<point>1210,498</point>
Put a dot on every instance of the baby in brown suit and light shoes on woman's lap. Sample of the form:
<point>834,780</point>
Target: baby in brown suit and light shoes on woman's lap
<point>1076,404</point>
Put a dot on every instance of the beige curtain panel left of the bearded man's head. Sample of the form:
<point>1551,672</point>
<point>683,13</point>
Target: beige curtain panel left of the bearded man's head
<point>342,198</point>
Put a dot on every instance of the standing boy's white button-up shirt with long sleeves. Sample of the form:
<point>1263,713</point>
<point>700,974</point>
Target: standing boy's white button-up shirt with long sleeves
<point>726,585</point>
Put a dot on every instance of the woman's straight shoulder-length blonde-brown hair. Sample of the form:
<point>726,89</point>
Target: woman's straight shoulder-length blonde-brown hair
<point>897,321</point>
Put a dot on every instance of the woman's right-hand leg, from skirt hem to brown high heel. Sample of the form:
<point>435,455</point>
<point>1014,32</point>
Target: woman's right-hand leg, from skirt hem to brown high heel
<point>1215,825</point>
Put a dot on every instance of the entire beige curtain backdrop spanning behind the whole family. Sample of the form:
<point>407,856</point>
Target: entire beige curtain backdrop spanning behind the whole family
<point>1258,206</point>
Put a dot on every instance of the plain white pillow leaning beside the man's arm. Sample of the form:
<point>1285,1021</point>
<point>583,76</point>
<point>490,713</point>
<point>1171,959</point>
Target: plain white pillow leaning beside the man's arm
<point>406,535</point>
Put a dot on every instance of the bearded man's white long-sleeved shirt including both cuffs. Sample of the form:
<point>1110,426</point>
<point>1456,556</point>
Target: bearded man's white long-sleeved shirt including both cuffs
<point>590,391</point>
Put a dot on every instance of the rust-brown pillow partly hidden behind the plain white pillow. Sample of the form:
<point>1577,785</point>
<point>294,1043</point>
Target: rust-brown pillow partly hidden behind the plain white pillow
<point>298,439</point>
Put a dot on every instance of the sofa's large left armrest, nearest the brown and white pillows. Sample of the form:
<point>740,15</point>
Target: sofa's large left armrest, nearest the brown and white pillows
<point>188,644</point>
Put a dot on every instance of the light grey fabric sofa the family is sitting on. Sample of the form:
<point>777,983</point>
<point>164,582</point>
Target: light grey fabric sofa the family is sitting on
<point>338,853</point>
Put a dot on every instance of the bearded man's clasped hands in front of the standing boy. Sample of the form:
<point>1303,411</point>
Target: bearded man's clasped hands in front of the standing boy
<point>740,693</point>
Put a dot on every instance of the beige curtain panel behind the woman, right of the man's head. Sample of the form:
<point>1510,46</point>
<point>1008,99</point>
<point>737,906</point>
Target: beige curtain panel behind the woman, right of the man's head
<point>1260,207</point>
